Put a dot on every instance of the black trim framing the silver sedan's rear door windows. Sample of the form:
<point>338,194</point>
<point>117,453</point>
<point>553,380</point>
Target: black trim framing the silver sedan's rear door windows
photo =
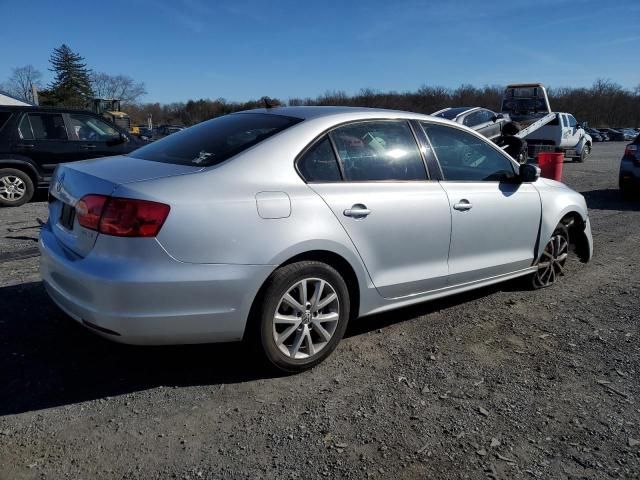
<point>343,179</point>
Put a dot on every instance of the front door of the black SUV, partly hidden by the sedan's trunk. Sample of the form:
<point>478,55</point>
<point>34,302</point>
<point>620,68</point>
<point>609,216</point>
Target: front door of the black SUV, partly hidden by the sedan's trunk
<point>92,136</point>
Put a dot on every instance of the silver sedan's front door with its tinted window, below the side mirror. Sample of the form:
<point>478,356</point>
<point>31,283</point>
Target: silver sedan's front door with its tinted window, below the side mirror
<point>494,219</point>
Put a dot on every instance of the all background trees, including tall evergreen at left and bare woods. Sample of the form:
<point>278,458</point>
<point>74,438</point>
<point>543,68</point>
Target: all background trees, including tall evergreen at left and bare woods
<point>604,104</point>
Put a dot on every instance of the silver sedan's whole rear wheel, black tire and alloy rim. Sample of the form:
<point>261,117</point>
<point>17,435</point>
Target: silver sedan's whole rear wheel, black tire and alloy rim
<point>302,316</point>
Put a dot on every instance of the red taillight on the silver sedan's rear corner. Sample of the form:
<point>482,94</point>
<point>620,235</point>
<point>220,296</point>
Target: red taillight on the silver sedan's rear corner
<point>121,217</point>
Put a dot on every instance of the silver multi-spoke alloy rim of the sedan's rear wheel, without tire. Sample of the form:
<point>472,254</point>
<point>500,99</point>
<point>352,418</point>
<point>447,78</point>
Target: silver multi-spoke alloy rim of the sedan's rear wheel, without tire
<point>306,318</point>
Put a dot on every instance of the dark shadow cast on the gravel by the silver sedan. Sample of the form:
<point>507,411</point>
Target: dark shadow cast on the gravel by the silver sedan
<point>47,360</point>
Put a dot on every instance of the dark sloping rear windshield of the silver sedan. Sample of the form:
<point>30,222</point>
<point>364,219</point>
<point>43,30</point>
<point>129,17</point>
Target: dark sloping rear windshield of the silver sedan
<point>215,141</point>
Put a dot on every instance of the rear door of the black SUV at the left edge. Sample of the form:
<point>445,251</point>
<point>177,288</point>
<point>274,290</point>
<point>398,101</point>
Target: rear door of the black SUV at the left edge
<point>43,137</point>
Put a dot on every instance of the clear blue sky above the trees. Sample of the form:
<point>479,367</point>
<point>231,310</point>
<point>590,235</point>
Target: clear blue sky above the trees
<point>245,49</point>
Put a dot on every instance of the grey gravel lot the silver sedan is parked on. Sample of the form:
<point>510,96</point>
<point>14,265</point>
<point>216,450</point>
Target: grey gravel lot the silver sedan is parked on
<point>500,383</point>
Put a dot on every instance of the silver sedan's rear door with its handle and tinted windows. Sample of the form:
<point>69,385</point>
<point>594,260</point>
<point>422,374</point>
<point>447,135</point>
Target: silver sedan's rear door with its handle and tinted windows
<point>398,220</point>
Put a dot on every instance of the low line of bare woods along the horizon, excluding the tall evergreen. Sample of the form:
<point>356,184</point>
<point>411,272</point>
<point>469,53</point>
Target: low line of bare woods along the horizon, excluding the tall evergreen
<point>604,104</point>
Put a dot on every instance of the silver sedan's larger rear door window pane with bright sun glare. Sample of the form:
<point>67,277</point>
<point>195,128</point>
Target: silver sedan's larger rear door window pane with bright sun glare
<point>379,150</point>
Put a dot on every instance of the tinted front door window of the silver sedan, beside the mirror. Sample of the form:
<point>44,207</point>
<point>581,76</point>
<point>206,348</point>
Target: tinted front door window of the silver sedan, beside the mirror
<point>465,157</point>
